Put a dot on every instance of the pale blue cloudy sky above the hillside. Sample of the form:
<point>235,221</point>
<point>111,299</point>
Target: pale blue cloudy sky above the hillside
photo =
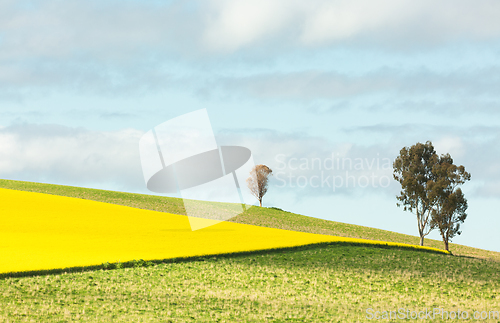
<point>325,93</point>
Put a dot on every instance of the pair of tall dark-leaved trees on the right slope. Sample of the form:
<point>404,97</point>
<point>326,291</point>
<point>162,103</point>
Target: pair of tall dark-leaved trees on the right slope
<point>429,190</point>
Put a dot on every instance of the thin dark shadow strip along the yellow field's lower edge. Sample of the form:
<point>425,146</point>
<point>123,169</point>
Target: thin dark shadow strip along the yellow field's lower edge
<point>149,263</point>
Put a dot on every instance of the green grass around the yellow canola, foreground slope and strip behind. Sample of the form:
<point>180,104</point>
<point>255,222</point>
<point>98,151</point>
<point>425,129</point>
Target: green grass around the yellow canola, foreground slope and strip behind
<point>324,283</point>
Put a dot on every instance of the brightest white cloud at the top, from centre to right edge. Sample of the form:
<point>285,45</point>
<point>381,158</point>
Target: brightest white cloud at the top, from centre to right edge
<point>240,23</point>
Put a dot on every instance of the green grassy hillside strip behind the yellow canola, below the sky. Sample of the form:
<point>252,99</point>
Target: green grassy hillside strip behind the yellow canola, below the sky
<point>265,217</point>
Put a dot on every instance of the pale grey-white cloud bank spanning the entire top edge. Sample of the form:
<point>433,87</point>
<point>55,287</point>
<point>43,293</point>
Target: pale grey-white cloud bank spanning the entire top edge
<point>117,30</point>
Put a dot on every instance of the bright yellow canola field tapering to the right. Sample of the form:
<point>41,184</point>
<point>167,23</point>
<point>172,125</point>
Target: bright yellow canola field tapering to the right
<point>41,231</point>
